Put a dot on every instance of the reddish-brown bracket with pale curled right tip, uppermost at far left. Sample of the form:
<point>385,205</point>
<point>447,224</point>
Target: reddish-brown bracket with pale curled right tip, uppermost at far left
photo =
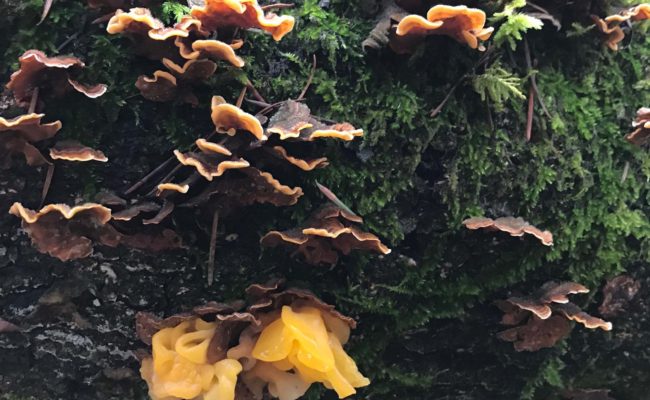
<point>40,74</point>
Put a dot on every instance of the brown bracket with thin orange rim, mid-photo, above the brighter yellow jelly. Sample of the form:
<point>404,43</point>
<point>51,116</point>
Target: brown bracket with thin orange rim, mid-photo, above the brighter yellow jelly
<point>328,232</point>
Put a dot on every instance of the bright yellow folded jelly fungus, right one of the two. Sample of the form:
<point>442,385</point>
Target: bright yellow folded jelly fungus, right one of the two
<point>311,345</point>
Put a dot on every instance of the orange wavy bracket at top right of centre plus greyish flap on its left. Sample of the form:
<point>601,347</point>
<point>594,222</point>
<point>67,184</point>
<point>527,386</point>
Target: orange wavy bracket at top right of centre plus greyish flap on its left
<point>403,31</point>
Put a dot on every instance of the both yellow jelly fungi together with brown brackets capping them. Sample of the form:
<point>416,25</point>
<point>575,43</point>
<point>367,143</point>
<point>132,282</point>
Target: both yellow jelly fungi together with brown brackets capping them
<point>281,344</point>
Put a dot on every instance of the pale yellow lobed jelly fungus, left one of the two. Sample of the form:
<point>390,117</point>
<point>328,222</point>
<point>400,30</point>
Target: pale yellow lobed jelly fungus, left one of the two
<point>179,367</point>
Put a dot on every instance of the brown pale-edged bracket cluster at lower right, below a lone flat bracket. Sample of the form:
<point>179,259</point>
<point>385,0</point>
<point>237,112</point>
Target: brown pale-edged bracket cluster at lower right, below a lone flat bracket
<point>542,319</point>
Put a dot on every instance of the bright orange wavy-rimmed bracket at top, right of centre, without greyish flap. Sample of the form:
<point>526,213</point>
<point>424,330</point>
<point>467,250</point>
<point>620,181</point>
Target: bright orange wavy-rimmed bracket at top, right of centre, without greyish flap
<point>466,25</point>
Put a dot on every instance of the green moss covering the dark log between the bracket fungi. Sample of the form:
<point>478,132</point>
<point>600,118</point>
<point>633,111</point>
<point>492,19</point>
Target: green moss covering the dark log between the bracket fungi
<point>426,321</point>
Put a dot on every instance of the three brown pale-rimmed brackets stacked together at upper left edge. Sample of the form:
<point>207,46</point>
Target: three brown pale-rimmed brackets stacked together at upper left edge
<point>42,77</point>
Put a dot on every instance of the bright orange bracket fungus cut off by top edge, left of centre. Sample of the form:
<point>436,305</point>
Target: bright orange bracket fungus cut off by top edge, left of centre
<point>244,14</point>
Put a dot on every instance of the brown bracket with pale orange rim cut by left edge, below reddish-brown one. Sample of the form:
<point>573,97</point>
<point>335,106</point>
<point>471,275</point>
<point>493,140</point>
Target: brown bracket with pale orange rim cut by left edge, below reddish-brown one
<point>17,136</point>
